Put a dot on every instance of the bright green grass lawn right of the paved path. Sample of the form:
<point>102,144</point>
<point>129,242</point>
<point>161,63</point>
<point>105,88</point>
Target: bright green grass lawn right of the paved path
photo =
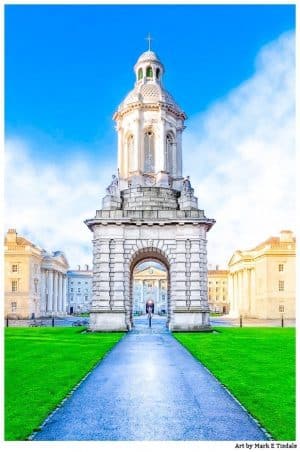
<point>257,365</point>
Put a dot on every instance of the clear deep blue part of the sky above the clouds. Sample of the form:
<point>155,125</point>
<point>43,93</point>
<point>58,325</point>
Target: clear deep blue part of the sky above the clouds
<point>68,67</point>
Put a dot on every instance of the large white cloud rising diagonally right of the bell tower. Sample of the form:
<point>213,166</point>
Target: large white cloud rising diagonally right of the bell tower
<point>240,155</point>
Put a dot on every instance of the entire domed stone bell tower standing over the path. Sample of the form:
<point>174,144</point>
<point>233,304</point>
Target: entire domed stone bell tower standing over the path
<point>149,212</point>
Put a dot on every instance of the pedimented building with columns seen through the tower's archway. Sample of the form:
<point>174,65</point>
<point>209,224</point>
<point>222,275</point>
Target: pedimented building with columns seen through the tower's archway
<point>150,283</point>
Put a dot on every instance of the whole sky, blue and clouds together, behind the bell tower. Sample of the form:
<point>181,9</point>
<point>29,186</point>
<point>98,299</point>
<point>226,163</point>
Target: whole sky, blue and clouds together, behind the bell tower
<point>231,68</point>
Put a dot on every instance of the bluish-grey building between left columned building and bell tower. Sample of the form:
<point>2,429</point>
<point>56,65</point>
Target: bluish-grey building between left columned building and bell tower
<point>79,290</point>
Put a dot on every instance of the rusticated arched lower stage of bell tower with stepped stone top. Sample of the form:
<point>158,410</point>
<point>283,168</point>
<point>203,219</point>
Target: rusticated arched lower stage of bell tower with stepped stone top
<point>150,226</point>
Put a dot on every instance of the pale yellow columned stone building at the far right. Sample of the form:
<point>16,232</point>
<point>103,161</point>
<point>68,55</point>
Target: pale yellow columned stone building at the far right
<point>262,280</point>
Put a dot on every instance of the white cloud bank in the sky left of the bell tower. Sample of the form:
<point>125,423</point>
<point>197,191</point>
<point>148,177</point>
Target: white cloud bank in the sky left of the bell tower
<point>47,203</point>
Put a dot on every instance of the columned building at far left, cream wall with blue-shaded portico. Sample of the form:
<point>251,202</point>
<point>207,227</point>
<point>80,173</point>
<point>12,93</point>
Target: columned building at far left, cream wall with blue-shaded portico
<point>34,280</point>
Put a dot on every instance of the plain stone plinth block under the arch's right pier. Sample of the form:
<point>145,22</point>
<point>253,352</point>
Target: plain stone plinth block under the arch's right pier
<point>190,321</point>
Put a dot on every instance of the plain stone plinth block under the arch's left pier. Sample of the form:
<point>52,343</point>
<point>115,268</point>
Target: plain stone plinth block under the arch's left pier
<point>108,321</point>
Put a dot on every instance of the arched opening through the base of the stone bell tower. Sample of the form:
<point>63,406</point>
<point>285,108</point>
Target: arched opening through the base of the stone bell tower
<point>150,282</point>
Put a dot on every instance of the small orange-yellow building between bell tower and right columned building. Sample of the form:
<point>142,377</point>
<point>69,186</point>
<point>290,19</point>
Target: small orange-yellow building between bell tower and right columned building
<point>218,291</point>
